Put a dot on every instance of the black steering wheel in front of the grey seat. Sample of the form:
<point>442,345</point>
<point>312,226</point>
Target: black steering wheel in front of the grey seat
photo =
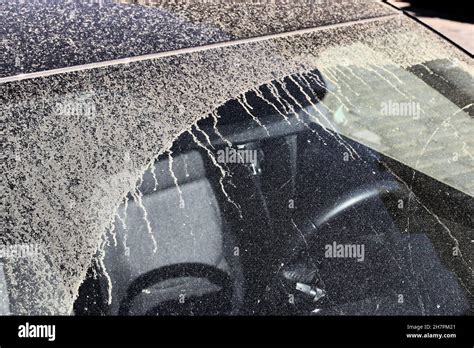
<point>214,303</point>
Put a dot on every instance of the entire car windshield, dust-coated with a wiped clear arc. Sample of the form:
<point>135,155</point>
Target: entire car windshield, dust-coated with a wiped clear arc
<point>329,172</point>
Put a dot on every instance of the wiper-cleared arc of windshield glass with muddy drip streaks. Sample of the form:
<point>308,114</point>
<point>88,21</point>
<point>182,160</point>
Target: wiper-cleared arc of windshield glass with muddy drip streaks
<point>340,191</point>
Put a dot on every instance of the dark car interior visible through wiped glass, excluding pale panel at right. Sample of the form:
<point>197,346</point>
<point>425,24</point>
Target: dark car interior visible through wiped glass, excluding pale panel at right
<point>202,237</point>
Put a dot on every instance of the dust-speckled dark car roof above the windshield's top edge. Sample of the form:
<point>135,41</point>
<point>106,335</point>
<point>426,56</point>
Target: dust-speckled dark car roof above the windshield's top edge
<point>43,35</point>
